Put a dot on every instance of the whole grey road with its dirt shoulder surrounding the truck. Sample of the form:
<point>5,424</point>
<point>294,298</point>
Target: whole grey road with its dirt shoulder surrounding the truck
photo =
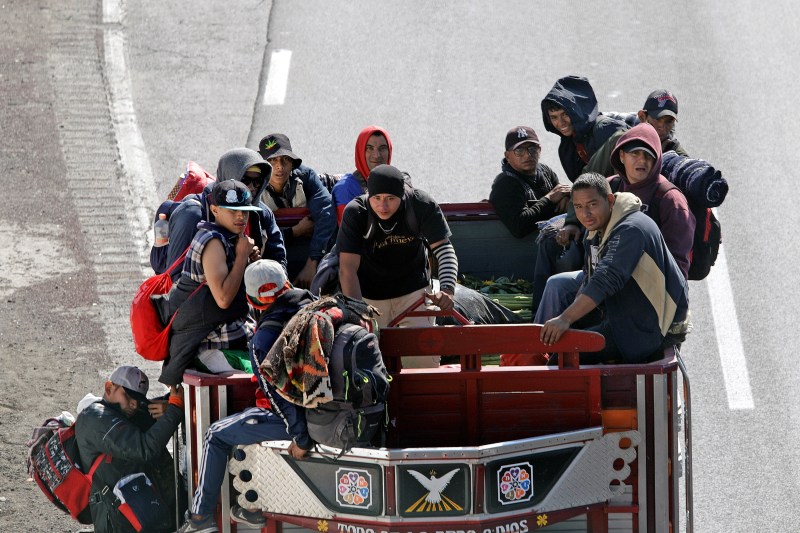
<point>447,80</point>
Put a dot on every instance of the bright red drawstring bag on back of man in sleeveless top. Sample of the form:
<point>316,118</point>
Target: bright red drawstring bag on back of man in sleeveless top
<point>150,335</point>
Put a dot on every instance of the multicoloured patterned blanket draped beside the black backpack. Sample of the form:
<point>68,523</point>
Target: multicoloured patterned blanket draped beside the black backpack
<point>297,364</point>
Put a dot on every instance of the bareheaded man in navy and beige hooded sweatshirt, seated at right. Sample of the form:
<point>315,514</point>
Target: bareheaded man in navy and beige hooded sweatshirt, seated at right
<point>630,272</point>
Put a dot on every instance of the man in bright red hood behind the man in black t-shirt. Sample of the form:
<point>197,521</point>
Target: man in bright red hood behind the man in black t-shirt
<point>373,148</point>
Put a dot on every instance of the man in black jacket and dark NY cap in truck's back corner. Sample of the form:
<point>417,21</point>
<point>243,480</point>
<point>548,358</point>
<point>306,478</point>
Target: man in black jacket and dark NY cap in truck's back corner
<point>526,191</point>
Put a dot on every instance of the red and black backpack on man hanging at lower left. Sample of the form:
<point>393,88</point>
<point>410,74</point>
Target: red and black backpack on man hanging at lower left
<point>53,463</point>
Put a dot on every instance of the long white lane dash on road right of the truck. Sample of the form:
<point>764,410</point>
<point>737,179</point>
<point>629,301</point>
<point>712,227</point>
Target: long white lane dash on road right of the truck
<point>729,338</point>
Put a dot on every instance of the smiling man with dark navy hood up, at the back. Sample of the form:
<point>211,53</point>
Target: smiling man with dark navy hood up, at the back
<point>570,110</point>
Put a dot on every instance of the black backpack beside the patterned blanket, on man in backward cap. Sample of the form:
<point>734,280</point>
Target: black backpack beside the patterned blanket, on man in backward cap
<point>360,383</point>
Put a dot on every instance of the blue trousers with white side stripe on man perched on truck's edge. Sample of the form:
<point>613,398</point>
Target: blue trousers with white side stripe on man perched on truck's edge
<point>251,426</point>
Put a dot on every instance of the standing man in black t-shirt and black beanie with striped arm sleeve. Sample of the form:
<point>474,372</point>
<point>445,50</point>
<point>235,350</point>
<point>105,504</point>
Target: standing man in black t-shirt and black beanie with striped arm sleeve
<point>383,260</point>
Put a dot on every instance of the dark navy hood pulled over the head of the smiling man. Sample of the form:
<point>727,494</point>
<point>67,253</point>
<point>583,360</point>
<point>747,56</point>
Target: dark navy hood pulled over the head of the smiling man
<point>576,96</point>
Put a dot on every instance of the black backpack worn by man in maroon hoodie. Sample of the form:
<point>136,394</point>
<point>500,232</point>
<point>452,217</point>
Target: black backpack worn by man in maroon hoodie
<point>707,230</point>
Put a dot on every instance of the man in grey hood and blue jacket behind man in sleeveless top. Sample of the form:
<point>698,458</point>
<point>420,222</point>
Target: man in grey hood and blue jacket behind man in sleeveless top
<point>241,164</point>
